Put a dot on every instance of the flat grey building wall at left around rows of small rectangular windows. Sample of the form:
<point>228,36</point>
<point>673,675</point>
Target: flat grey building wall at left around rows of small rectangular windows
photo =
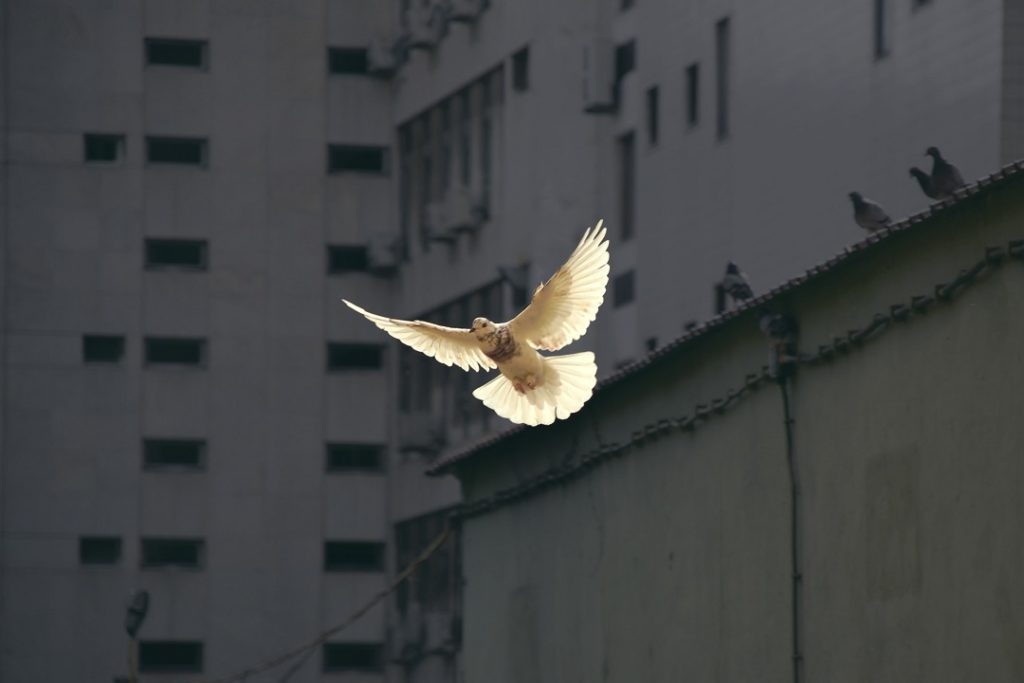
<point>265,403</point>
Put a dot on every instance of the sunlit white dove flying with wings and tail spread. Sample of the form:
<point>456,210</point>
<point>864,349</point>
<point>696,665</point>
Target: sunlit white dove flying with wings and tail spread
<point>532,390</point>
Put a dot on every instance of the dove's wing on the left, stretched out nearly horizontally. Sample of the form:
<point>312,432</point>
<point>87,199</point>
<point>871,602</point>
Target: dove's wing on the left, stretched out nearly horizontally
<point>453,347</point>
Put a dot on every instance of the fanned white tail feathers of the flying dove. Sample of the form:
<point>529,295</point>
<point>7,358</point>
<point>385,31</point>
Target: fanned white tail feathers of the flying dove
<point>568,383</point>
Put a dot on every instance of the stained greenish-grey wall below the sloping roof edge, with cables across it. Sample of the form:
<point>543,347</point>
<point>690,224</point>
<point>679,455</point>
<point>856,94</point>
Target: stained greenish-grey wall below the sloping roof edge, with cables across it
<point>672,563</point>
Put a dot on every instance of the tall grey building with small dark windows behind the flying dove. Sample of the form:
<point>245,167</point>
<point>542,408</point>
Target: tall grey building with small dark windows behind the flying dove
<point>190,188</point>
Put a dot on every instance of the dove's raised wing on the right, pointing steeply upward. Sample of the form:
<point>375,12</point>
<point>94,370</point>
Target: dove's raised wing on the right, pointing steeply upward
<point>565,307</point>
